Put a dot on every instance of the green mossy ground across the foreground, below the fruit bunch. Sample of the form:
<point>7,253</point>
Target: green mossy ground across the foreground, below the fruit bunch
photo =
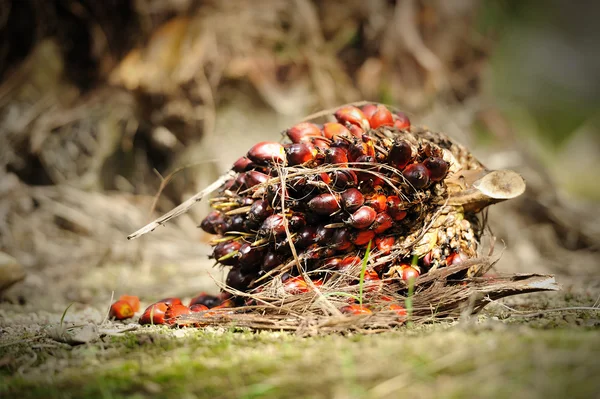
<point>499,354</point>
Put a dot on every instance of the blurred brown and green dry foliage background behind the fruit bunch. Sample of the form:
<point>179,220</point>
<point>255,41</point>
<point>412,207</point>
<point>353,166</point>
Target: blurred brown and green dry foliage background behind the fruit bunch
<point>102,102</point>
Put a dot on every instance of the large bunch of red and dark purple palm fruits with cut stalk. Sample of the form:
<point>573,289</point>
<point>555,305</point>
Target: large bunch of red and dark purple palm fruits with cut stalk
<point>367,183</point>
